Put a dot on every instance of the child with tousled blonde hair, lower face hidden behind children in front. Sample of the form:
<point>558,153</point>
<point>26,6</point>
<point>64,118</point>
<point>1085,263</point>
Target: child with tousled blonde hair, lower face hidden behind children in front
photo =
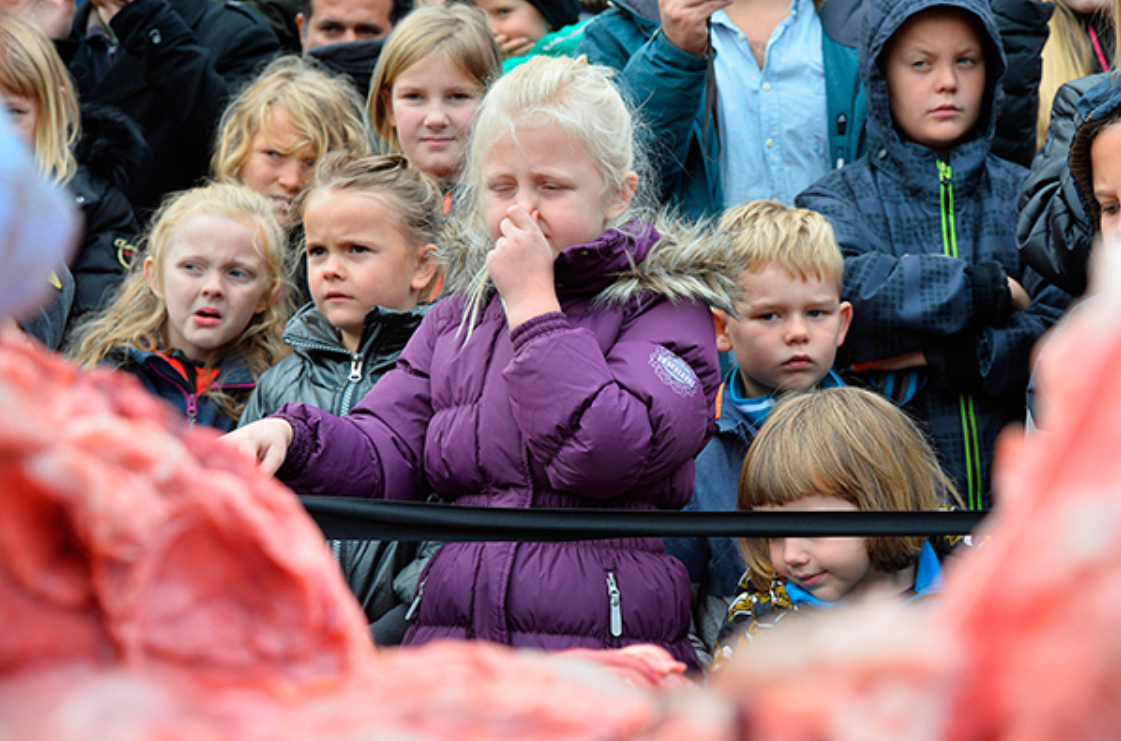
<point>281,125</point>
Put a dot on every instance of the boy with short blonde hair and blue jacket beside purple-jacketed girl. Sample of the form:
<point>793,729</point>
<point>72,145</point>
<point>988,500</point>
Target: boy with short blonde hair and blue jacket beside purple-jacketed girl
<point>791,322</point>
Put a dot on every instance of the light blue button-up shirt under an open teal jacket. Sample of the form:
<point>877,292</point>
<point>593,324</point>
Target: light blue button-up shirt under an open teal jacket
<point>773,122</point>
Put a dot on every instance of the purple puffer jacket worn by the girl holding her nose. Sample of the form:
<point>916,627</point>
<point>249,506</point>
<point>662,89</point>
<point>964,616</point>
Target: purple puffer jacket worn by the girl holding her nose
<point>604,405</point>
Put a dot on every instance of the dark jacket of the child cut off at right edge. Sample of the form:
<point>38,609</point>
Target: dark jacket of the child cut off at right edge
<point>1055,228</point>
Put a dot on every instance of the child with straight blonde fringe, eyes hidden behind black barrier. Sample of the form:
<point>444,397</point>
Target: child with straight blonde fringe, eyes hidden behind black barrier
<point>837,450</point>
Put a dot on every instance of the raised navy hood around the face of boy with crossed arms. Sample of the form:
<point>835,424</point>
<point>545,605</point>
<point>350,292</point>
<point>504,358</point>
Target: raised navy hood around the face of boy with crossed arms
<point>883,21</point>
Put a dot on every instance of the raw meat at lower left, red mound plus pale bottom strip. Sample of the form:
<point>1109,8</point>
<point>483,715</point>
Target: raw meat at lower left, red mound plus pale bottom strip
<point>156,587</point>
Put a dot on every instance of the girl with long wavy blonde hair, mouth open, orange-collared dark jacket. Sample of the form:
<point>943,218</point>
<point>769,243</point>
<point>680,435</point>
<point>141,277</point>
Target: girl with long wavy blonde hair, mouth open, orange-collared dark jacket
<point>201,317</point>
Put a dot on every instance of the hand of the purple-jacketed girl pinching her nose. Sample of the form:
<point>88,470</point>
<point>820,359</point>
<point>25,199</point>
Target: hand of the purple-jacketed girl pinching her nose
<point>522,267</point>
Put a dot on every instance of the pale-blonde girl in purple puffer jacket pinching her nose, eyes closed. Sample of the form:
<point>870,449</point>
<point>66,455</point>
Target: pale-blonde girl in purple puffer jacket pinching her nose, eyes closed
<point>573,366</point>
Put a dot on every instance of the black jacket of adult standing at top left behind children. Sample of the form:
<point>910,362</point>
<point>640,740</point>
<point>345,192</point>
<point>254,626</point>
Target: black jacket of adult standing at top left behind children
<point>179,63</point>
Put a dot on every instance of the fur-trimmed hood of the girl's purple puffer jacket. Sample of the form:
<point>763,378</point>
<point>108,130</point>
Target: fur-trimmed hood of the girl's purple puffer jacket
<point>673,258</point>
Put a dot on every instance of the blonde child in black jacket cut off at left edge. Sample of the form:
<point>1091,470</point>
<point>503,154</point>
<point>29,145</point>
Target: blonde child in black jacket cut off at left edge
<point>43,105</point>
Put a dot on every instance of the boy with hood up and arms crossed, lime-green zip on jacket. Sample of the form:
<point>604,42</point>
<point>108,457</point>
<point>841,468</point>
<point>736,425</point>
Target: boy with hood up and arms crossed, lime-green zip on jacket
<point>946,310</point>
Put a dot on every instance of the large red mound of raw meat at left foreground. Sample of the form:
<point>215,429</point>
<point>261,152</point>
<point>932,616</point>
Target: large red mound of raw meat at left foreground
<point>129,541</point>
